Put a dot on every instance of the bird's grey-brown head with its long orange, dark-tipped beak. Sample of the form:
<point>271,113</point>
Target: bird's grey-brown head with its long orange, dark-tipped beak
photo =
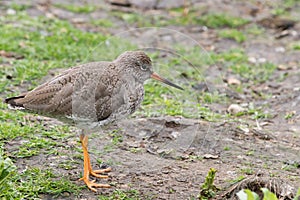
<point>140,66</point>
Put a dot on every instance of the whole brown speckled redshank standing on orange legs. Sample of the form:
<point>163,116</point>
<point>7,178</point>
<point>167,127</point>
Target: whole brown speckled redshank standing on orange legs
<point>92,95</point>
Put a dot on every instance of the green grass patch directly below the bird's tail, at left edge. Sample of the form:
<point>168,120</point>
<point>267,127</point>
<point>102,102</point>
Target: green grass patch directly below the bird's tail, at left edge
<point>35,135</point>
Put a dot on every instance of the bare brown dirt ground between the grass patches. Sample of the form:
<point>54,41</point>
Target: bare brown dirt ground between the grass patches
<point>169,157</point>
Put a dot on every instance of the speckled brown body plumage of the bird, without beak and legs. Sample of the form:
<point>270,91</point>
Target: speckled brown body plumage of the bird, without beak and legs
<point>105,86</point>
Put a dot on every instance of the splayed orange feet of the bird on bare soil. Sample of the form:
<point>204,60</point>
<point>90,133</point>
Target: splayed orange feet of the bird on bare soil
<point>98,174</point>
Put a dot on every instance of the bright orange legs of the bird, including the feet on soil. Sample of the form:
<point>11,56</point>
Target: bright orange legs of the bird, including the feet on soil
<point>87,168</point>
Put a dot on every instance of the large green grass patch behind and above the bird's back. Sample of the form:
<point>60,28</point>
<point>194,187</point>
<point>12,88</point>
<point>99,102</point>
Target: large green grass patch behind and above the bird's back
<point>44,44</point>
